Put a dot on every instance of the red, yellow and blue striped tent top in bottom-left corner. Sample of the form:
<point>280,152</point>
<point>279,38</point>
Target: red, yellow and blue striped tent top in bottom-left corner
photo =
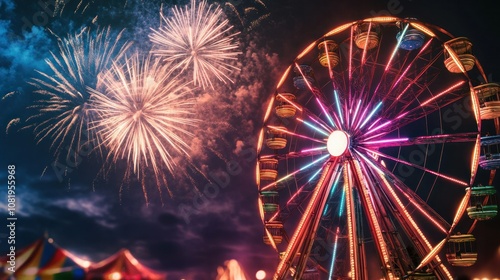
<point>45,260</point>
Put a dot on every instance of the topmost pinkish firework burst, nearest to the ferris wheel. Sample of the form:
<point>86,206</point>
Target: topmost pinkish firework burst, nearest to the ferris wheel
<point>196,38</point>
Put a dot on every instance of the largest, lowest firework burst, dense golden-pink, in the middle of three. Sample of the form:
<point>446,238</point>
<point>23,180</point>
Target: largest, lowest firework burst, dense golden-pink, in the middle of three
<point>144,113</point>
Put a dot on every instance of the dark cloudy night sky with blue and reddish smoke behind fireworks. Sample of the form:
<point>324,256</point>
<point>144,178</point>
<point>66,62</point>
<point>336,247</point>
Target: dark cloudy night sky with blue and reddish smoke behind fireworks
<point>93,212</point>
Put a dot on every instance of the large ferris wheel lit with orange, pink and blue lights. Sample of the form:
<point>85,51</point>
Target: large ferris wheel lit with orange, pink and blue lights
<point>370,151</point>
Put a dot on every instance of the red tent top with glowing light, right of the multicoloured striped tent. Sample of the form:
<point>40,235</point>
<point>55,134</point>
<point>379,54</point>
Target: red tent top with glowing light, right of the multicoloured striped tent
<point>122,265</point>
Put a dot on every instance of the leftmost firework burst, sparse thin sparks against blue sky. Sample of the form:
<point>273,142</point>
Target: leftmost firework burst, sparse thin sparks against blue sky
<point>62,110</point>
